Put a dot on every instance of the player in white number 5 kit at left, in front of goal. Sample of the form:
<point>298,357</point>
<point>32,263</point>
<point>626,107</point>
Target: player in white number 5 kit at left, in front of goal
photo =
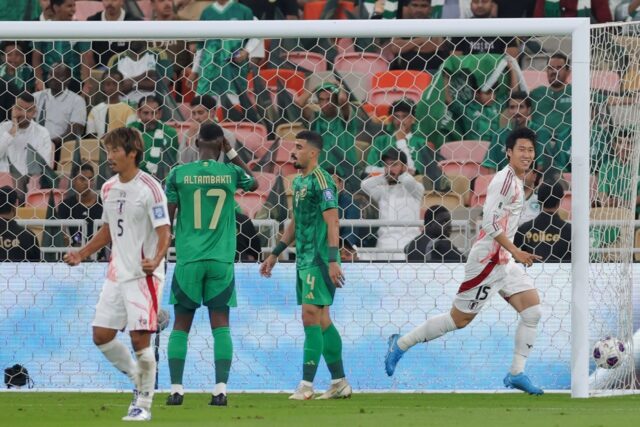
<point>137,226</point>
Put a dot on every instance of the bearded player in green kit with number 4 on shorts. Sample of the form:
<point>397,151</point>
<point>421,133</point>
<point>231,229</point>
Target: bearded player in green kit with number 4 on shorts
<point>315,227</point>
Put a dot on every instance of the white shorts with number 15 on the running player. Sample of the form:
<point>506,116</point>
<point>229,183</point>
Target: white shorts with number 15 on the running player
<point>482,281</point>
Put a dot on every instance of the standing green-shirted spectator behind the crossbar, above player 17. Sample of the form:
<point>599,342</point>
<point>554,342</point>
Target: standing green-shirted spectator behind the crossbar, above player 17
<point>222,66</point>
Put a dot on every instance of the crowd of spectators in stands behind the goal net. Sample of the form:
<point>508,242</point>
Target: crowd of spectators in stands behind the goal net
<point>397,152</point>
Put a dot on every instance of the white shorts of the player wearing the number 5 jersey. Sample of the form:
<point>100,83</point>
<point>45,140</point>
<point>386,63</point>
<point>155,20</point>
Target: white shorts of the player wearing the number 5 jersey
<point>132,304</point>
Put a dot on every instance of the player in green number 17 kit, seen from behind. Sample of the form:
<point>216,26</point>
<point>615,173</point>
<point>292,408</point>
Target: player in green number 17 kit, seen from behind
<point>203,194</point>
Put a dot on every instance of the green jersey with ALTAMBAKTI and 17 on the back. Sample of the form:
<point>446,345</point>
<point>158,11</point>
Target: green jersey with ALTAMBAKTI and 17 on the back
<point>206,219</point>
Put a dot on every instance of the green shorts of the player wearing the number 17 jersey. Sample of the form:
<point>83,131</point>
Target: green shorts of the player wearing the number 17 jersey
<point>209,283</point>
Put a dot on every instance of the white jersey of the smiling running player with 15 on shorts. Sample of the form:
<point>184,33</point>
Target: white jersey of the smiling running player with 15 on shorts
<point>500,214</point>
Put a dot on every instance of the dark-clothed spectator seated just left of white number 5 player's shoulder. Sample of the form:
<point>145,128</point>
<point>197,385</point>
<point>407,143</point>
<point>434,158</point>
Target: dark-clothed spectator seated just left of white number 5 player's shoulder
<point>81,202</point>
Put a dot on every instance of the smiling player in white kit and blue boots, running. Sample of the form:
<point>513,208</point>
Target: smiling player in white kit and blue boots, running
<point>491,267</point>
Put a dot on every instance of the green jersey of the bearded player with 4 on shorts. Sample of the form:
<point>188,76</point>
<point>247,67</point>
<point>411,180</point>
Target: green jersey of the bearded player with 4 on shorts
<point>312,195</point>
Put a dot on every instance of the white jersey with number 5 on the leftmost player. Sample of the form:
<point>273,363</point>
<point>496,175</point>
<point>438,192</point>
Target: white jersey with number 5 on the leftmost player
<point>133,211</point>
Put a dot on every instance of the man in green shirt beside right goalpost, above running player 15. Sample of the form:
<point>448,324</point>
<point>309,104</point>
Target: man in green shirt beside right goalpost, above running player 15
<point>552,104</point>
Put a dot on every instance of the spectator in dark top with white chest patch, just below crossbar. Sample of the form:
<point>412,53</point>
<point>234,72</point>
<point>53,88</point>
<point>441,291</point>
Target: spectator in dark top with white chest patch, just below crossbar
<point>145,71</point>
